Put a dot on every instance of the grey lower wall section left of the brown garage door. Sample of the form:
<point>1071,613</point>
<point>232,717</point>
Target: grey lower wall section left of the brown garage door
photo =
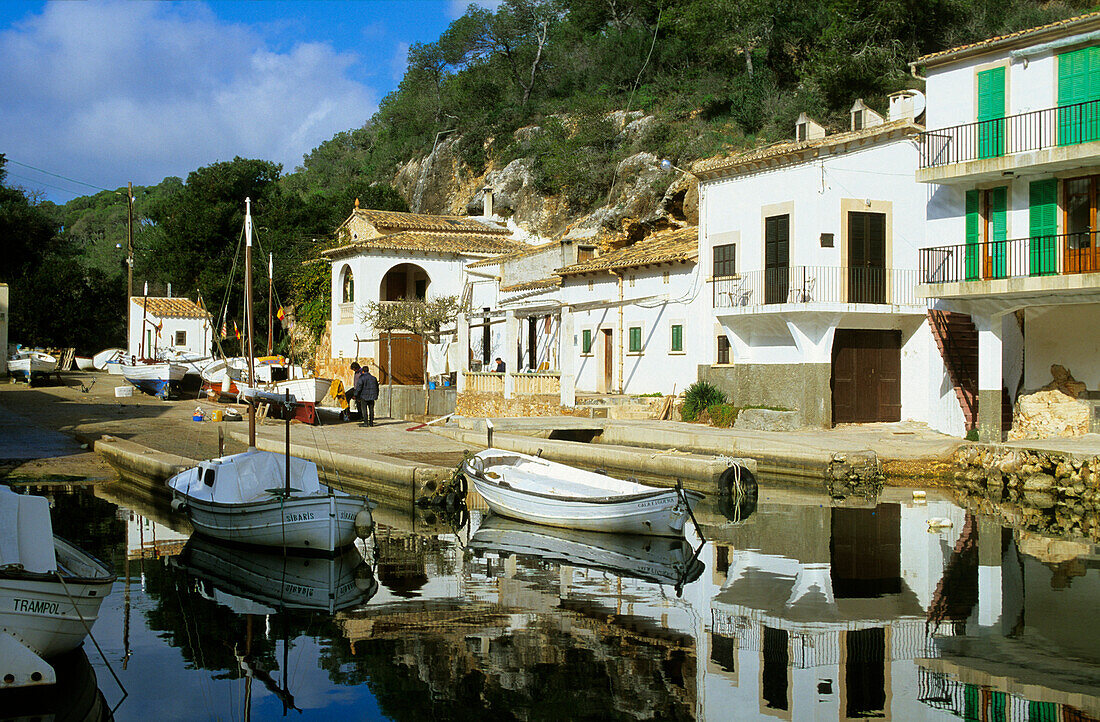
<point>799,387</point>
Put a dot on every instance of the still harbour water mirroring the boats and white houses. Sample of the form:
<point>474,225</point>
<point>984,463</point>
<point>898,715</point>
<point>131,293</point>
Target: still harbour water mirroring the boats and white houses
<point>798,608</point>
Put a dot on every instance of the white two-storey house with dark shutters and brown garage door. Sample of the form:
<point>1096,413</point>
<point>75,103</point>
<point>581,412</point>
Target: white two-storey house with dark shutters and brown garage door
<point>811,248</point>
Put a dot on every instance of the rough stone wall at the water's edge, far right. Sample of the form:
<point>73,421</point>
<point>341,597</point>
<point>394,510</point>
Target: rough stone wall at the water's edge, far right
<point>1054,494</point>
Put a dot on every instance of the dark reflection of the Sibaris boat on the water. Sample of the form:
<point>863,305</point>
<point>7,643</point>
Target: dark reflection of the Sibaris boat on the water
<point>262,582</point>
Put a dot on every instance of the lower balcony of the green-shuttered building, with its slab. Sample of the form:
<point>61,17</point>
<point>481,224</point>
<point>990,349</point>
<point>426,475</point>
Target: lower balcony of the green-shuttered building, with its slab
<point>1068,262</point>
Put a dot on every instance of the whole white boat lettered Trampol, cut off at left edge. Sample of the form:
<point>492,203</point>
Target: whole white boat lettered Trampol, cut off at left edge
<point>50,590</point>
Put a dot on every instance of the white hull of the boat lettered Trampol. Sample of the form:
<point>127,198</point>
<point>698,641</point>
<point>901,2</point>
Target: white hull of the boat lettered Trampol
<point>45,615</point>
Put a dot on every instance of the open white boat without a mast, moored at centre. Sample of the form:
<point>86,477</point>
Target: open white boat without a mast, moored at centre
<point>545,493</point>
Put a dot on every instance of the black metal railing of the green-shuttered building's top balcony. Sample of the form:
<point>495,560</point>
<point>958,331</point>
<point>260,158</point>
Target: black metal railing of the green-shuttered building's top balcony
<point>1029,132</point>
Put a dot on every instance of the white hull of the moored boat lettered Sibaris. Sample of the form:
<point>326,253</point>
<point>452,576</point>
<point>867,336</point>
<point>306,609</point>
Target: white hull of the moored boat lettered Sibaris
<point>322,523</point>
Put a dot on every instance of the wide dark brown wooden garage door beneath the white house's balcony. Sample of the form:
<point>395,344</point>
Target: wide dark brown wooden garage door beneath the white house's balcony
<point>866,377</point>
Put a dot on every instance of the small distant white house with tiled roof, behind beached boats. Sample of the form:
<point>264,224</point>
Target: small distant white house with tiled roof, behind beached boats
<point>167,326</point>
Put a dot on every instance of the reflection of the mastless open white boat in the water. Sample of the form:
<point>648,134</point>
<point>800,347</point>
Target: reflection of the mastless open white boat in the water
<point>663,561</point>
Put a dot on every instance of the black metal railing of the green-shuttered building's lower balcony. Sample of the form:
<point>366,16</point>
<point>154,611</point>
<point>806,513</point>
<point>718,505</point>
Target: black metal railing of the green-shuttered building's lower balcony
<point>1040,256</point>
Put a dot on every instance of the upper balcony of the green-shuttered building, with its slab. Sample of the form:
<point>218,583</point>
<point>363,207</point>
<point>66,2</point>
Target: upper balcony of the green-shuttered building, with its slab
<point>1052,139</point>
